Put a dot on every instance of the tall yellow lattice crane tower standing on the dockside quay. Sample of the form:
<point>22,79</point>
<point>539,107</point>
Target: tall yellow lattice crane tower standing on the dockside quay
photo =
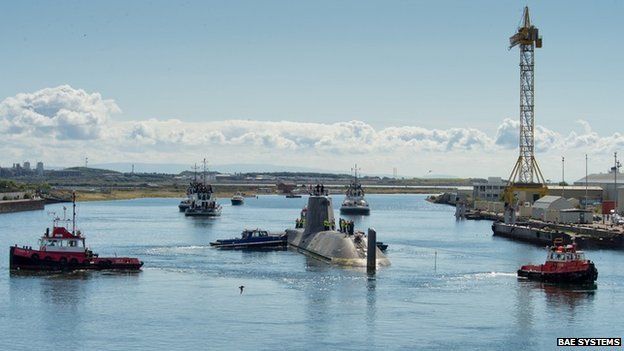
<point>526,174</point>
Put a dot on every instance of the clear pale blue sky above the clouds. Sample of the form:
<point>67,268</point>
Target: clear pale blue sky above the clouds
<point>429,64</point>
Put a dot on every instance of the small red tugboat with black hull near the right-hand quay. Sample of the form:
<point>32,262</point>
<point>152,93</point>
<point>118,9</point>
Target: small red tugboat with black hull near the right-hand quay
<point>564,264</point>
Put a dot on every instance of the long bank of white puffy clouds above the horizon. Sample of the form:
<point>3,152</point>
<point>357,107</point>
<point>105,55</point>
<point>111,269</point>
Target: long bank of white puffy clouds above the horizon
<point>62,125</point>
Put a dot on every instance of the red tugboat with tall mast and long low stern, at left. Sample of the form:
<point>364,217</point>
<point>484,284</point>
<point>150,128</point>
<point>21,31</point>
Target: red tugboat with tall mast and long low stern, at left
<point>65,250</point>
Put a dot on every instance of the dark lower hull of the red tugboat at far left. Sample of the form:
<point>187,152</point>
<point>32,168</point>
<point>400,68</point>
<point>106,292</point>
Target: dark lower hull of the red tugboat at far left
<point>35,260</point>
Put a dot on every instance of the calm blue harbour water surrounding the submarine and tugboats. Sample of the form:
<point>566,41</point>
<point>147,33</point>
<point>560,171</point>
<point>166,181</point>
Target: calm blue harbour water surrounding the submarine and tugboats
<point>187,296</point>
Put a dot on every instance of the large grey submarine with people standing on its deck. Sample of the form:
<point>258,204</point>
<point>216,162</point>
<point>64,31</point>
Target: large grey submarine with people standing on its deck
<point>331,246</point>
